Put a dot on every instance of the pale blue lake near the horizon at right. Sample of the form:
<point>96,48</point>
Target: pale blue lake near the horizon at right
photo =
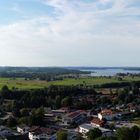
<point>109,72</point>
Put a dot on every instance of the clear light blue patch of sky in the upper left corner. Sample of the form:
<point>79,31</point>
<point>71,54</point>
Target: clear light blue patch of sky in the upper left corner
<point>16,10</point>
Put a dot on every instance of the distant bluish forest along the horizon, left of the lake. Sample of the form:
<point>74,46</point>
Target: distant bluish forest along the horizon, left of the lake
<point>42,73</point>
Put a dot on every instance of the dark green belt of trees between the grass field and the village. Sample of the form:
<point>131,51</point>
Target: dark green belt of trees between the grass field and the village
<point>53,96</point>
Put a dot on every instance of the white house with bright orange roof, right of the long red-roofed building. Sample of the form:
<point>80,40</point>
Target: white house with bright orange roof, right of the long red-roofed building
<point>107,114</point>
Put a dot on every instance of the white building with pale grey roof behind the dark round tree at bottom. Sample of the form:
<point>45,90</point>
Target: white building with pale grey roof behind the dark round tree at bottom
<point>84,128</point>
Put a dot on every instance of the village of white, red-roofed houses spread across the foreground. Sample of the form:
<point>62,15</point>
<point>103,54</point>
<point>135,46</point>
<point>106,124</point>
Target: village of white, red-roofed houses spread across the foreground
<point>75,122</point>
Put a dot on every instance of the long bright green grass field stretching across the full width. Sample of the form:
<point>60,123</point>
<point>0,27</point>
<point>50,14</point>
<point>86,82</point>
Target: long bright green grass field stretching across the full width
<point>31,84</point>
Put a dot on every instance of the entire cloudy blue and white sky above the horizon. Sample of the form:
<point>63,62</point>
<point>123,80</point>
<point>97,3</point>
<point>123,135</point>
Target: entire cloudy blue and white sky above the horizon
<point>69,32</point>
